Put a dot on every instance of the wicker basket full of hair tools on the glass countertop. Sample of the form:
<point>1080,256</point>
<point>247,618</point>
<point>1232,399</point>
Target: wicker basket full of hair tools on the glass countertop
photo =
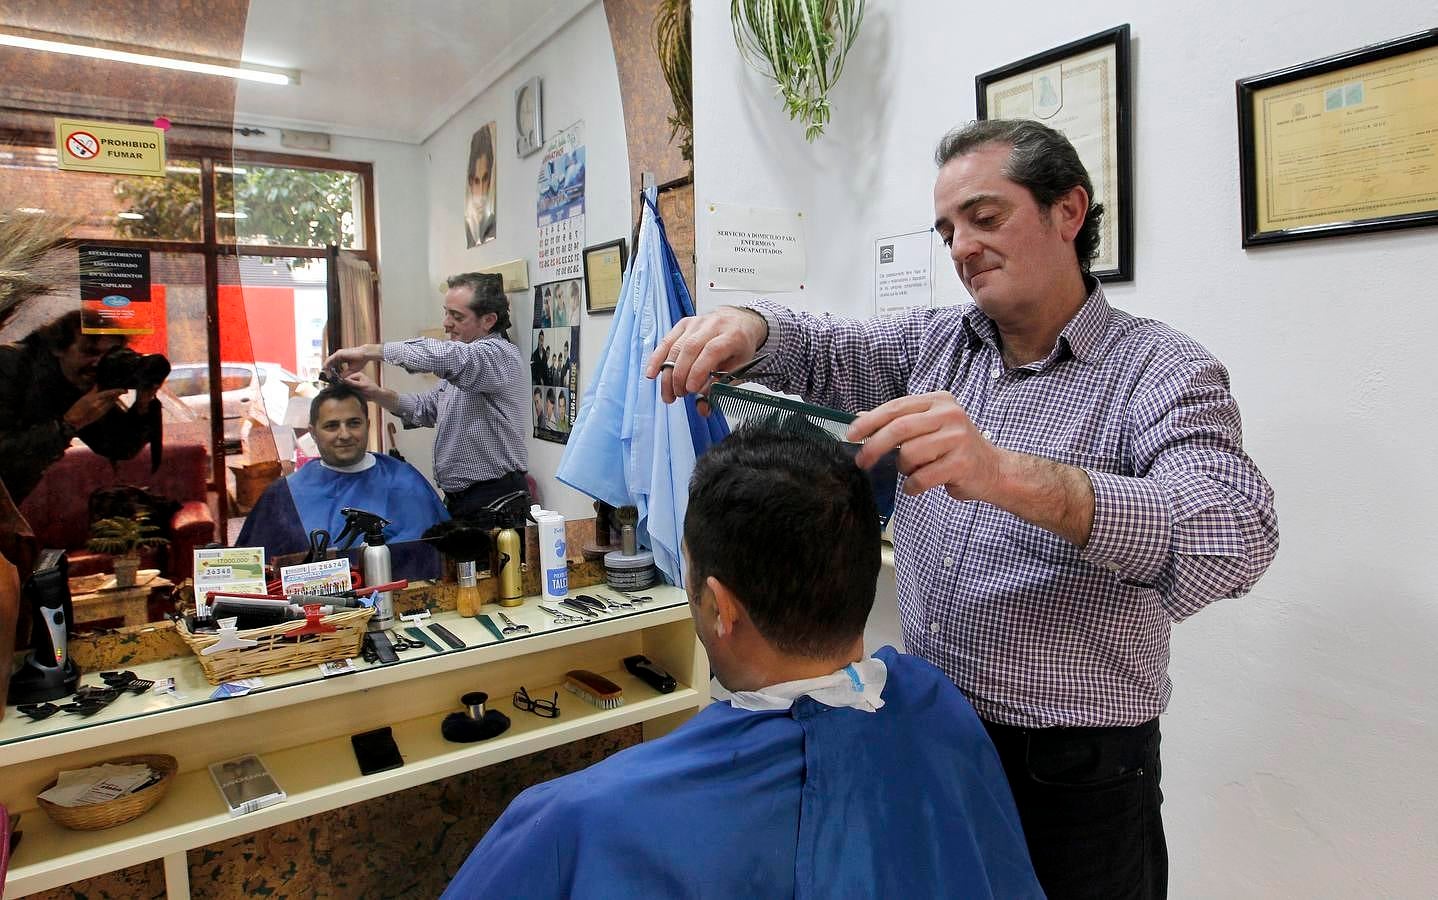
<point>278,653</point>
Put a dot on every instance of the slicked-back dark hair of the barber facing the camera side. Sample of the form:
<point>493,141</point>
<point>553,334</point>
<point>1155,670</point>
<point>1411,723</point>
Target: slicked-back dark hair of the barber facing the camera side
<point>1042,160</point>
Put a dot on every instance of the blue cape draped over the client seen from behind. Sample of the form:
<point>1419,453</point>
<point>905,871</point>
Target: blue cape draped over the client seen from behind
<point>910,802</point>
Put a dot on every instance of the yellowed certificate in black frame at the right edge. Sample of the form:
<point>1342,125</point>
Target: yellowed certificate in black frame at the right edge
<point>1342,144</point>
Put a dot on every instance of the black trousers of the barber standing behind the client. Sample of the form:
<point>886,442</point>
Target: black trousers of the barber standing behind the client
<point>1089,800</point>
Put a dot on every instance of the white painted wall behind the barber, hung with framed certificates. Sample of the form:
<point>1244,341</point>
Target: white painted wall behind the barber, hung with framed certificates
<point>1301,740</point>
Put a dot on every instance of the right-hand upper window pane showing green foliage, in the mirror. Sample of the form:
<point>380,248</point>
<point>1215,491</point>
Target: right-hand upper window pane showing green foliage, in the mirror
<point>291,208</point>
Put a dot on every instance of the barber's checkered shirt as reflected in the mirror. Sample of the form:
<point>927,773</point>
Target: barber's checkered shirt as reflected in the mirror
<point>480,410</point>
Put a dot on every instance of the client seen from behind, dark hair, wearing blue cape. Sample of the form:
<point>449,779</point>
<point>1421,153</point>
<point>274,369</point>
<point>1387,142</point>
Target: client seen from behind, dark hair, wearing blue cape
<point>819,770</point>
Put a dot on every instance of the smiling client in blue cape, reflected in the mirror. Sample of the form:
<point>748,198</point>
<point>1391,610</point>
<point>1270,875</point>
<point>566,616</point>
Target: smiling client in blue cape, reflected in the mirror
<point>344,475</point>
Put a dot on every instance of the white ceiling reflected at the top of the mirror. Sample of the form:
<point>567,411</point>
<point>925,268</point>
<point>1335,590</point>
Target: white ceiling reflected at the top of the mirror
<point>385,70</point>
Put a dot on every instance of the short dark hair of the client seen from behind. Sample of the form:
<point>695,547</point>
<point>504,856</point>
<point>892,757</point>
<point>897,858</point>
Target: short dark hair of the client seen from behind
<point>789,524</point>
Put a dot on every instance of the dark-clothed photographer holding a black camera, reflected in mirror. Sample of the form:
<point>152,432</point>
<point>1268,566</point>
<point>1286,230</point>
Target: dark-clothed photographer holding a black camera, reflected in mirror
<point>60,383</point>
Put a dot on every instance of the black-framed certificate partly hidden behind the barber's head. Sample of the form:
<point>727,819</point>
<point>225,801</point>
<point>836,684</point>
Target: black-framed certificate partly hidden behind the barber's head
<point>1081,90</point>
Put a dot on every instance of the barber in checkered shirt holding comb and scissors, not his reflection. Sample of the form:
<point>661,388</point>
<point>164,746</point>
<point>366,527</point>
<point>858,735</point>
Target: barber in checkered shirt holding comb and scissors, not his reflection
<point>1086,491</point>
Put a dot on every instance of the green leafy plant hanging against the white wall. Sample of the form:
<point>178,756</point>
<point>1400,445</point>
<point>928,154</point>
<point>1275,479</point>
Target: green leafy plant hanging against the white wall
<point>802,45</point>
